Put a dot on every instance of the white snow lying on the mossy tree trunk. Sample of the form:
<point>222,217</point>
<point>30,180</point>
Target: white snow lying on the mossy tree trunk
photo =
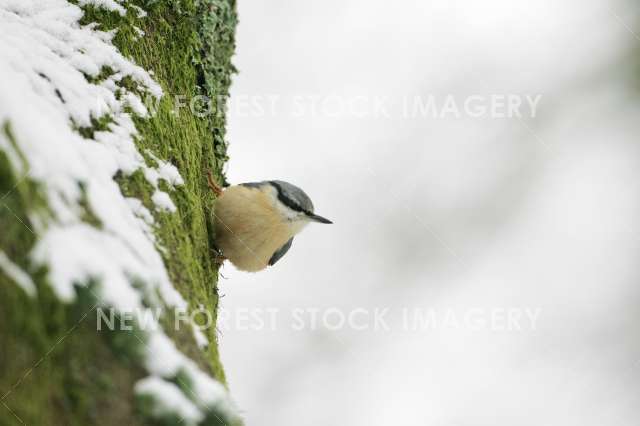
<point>45,56</point>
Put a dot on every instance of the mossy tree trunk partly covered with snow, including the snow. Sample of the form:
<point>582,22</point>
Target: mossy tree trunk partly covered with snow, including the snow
<point>90,197</point>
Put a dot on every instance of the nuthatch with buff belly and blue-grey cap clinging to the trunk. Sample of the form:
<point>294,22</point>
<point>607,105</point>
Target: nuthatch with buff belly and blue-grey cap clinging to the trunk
<point>255,222</point>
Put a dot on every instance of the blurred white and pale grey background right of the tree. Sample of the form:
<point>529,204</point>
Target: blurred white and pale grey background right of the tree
<point>443,213</point>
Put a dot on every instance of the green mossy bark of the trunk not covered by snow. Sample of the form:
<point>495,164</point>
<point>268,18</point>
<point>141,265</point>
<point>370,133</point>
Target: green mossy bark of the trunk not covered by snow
<point>55,367</point>
